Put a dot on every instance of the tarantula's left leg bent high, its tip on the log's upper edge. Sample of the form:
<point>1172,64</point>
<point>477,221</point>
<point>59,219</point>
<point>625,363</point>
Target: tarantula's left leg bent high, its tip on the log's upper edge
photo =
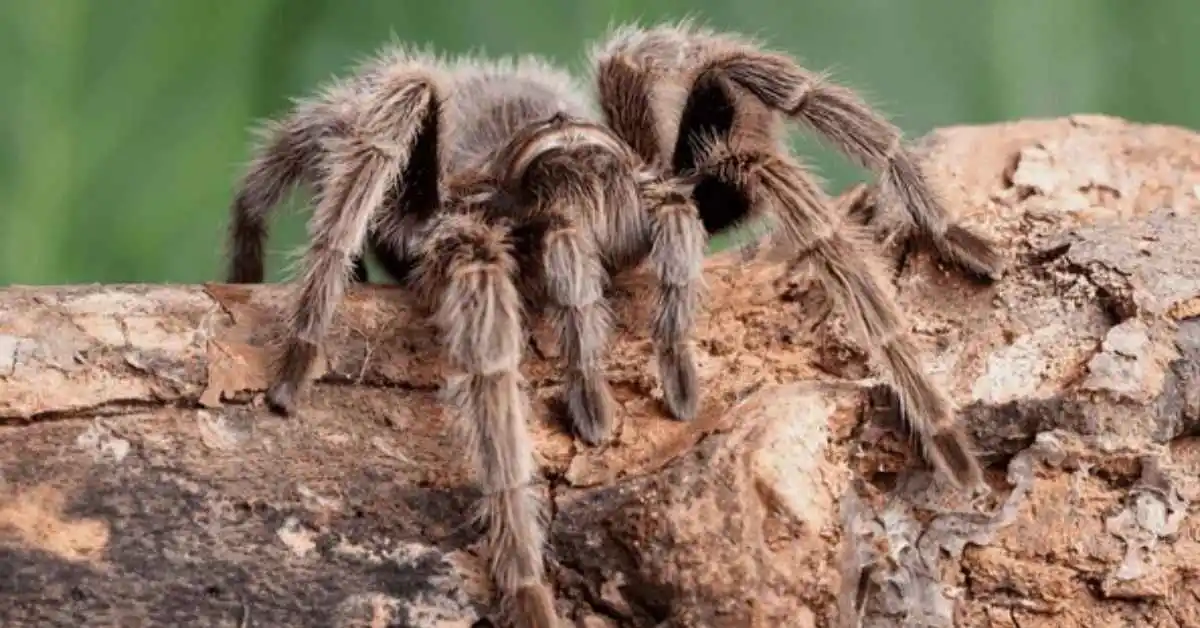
<point>359,166</point>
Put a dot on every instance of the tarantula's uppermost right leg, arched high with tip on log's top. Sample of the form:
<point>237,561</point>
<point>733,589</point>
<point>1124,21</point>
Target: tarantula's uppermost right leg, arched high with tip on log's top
<point>665,56</point>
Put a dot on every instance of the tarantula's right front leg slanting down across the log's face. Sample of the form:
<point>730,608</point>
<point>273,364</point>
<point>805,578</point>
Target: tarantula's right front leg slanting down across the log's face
<point>855,278</point>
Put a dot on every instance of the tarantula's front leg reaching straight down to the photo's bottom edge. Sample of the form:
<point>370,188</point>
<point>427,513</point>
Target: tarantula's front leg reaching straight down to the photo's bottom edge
<point>467,273</point>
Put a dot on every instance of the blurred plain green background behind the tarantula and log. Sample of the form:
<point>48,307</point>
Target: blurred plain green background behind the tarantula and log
<point>124,123</point>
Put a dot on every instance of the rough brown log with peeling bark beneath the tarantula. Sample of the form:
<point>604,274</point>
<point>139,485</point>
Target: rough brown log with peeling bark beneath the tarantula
<point>143,483</point>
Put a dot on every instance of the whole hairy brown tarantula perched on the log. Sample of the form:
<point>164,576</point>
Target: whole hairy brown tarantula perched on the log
<point>496,190</point>
